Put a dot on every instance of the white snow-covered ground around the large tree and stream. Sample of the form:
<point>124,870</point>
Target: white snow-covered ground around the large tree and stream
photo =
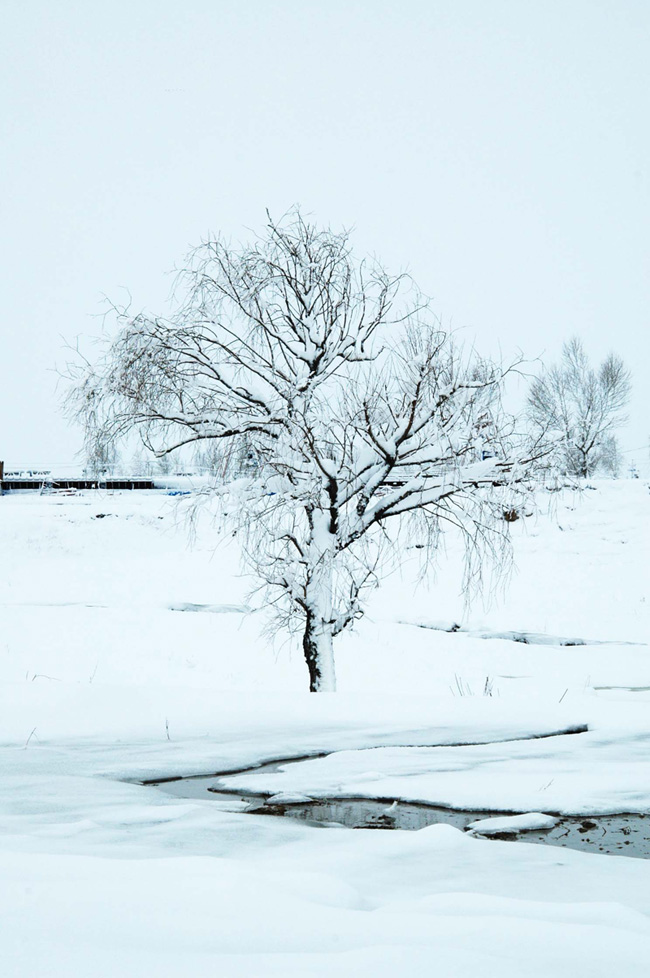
<point>126,653</point>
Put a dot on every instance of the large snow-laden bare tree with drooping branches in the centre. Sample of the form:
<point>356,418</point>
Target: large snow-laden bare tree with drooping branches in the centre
<point>358,419</point>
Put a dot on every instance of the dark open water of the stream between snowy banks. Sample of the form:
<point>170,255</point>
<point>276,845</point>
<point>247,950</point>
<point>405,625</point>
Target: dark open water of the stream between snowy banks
<point>625,834</point>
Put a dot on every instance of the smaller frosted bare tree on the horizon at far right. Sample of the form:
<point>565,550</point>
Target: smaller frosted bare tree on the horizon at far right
<point>580,407</point>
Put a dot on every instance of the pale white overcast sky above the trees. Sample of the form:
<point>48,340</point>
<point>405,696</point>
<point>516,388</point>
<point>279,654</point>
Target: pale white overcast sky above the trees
<point>498,150</point>
